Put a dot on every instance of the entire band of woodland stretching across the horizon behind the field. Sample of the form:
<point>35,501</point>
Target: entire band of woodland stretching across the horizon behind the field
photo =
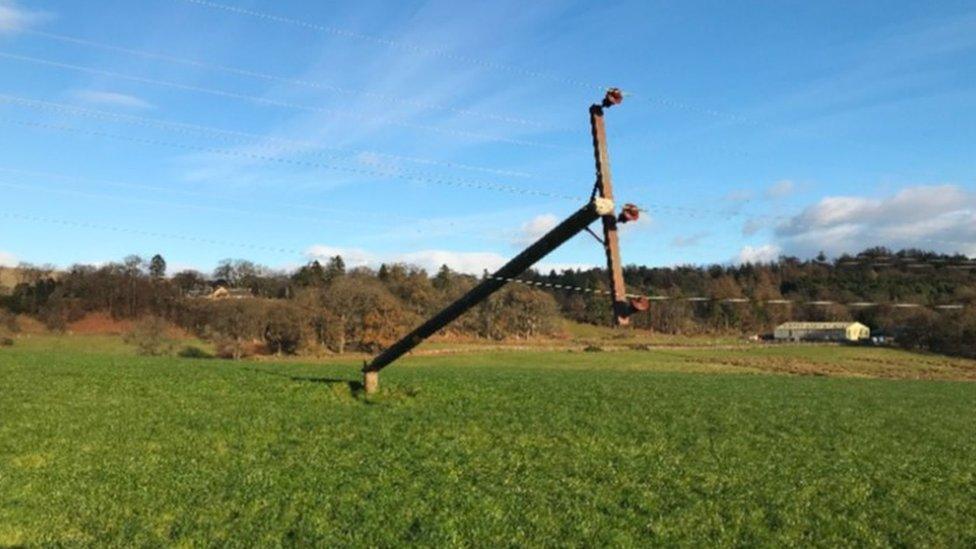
<point>329,308</point>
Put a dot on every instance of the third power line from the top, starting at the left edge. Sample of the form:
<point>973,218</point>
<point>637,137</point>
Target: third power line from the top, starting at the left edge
<point>277,103</point>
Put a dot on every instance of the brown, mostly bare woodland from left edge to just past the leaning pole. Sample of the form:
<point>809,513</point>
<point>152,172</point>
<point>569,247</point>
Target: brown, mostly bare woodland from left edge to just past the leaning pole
<point>316,309</point>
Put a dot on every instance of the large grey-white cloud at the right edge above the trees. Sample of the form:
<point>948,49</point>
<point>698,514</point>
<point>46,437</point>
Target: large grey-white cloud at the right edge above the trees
<point>936,217</point>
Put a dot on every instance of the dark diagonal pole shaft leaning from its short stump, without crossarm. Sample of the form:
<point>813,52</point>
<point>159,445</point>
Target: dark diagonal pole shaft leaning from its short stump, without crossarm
<point>573,225</point>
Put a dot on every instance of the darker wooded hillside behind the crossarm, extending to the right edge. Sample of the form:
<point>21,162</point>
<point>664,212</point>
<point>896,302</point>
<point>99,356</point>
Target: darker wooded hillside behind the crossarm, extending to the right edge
<point>876,275</point>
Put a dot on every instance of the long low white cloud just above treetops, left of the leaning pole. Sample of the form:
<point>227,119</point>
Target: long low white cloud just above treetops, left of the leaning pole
<point>430,260</point>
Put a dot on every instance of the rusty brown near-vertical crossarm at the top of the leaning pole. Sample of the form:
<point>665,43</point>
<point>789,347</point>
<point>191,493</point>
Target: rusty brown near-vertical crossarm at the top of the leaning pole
<point>604,188</point>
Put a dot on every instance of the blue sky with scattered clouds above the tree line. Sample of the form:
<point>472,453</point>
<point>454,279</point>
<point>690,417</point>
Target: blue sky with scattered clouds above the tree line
<point>449,132</point>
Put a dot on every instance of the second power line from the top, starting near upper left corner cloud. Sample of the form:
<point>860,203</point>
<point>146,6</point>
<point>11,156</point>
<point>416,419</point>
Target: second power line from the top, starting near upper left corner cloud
<point>286,80</point>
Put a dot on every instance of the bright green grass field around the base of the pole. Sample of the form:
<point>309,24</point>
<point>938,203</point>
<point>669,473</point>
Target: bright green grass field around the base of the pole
<point>544,447</point>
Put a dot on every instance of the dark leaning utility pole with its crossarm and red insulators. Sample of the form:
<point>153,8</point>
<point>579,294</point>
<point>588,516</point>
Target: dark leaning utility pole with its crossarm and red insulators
<point>600,206</point>
